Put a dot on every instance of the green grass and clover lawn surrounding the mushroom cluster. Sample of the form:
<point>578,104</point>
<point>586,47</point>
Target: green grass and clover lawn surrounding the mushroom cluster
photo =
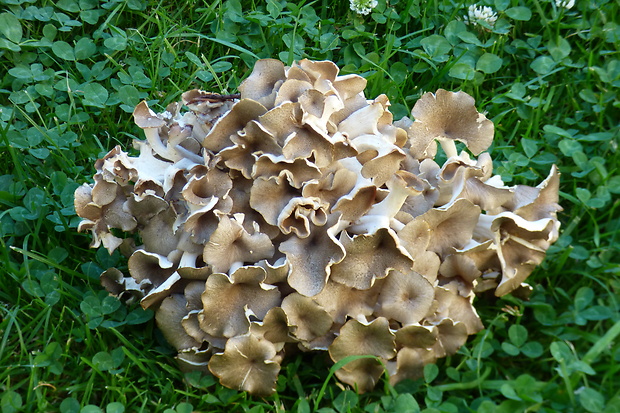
<point>71,73</point>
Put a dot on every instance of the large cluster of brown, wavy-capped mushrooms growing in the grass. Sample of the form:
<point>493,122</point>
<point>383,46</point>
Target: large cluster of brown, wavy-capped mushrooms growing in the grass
<point>298,215</point>
